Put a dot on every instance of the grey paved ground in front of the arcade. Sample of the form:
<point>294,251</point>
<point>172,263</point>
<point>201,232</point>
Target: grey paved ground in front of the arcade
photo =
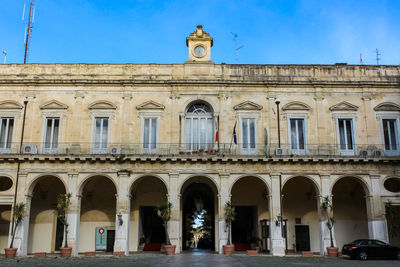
<point>193,260</point>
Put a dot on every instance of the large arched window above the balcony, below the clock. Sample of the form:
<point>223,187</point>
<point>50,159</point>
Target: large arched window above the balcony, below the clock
<point>199,127</point>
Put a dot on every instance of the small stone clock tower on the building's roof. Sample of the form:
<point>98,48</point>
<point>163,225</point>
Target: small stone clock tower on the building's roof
<point>199,44</point>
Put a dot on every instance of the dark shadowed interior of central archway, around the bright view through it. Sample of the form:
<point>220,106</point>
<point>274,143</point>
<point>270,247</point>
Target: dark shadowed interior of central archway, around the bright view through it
<point>193,195</point>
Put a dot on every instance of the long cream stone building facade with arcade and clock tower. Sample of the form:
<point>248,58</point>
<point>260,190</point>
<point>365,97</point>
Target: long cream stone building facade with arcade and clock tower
<point>121,138</point>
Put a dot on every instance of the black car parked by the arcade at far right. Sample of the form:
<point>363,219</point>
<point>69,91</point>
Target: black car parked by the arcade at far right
<point>364,249</point>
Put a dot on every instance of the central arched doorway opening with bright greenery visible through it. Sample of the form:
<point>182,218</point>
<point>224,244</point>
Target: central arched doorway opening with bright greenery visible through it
<point>199,211</point>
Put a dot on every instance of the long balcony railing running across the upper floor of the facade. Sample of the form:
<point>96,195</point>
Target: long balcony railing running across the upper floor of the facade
<point>190,150</point>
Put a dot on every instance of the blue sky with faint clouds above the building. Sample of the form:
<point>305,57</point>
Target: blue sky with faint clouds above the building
<point>150,31</point>
